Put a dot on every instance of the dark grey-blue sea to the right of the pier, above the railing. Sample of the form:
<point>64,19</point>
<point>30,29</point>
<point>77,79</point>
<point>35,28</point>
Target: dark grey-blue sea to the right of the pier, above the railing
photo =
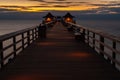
<point>108,26</point>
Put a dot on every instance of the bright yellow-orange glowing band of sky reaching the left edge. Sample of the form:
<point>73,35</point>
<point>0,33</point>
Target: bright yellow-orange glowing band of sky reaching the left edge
<point>39,9</point>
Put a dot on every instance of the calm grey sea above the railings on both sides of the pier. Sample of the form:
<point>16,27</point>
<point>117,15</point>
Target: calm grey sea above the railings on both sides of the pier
<point>107,26</point>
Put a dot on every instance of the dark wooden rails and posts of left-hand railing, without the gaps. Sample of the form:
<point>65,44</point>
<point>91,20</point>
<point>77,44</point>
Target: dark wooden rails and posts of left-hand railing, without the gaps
<point>13,36</point>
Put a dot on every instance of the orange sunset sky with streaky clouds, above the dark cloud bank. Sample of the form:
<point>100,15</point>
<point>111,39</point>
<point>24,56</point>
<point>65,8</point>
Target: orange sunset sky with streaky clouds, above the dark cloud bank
<point>102,6</point>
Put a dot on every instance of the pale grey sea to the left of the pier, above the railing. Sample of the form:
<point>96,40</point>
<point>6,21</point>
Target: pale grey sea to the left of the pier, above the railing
<point>8,26</point>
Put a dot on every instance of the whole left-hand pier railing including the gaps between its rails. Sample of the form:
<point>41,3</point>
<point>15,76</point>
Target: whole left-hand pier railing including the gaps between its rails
<point>13,43</point>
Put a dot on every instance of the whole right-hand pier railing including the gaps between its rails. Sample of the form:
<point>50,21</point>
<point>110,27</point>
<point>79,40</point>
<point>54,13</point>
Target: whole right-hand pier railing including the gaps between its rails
<point>106,45</point>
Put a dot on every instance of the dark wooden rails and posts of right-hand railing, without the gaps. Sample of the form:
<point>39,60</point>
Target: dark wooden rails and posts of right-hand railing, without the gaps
<point>101,41</point>
